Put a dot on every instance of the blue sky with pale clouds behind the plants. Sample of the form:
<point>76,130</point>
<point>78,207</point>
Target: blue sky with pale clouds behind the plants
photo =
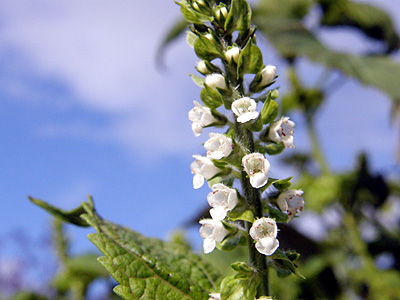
<point>83,110</point>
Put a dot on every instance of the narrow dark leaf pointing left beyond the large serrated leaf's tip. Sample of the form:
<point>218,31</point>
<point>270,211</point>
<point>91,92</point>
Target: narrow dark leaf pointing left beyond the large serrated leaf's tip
<point>72,216</point>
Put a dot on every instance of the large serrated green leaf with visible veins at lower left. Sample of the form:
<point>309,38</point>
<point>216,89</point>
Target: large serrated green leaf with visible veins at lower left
<point>148,268</point>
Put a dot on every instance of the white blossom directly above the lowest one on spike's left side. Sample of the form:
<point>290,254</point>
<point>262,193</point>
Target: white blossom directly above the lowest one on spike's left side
<point>222,199</point>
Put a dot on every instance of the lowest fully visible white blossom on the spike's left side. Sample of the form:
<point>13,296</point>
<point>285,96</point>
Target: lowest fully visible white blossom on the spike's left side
<point>212,232</point>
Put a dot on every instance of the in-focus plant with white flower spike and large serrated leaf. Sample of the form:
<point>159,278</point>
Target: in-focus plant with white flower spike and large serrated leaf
<point>238,95</point>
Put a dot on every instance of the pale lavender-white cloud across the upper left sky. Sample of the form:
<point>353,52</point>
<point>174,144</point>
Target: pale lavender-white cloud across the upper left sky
<point>103,53</point>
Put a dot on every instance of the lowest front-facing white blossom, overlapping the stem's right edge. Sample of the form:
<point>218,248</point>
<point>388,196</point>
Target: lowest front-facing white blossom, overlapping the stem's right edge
<point>264,231</point>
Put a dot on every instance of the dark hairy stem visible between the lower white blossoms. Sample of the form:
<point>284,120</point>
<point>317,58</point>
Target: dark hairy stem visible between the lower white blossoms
<point>253,198</point>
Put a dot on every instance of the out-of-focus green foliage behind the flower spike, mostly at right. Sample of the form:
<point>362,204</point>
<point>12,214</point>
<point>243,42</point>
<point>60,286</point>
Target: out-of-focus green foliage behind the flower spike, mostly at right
<point>358,254</point>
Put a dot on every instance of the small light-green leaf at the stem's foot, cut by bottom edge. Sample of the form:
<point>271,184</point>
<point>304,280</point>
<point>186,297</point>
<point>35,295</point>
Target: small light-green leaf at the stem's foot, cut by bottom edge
<point>236,287</point>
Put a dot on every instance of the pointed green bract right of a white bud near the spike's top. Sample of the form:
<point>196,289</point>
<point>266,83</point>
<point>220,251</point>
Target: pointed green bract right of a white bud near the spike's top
<point>250,59</point>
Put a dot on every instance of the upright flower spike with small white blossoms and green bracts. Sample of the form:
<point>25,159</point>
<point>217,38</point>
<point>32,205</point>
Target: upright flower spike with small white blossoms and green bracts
<point>245,202</point>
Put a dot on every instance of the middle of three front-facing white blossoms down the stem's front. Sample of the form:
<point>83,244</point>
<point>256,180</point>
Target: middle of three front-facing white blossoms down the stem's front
<point>257,167</point>
